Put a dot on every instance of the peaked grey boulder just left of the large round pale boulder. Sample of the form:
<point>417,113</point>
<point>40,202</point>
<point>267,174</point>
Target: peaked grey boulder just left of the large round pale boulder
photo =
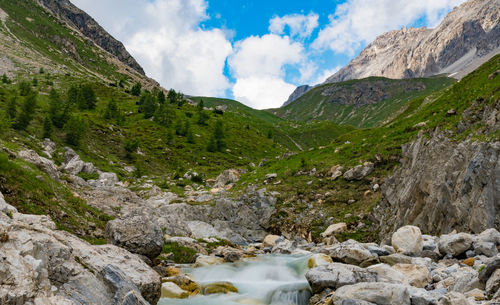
<point>349,252</point>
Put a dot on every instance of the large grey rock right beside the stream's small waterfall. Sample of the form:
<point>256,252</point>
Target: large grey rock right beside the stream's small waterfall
<point>336,275</point>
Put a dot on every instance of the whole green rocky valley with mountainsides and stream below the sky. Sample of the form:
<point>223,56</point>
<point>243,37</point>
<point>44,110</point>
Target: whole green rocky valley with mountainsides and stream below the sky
<point>362,190</point>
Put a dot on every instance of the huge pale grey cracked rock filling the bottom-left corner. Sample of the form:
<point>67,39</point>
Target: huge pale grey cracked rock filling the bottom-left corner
<point>41,265</point>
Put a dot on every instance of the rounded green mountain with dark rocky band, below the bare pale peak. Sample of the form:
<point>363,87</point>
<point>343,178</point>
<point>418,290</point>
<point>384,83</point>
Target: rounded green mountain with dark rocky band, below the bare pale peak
<point>360,103</point>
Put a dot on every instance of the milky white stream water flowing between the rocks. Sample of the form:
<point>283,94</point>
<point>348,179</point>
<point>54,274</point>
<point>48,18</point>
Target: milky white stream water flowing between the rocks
<point>265,280</point>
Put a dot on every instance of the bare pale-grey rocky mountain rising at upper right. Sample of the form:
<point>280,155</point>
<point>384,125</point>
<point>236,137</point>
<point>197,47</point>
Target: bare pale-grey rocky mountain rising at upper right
<point>467,37</point>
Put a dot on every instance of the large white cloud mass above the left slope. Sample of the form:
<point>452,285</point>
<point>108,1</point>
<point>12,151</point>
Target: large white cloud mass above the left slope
<point>166,39</point>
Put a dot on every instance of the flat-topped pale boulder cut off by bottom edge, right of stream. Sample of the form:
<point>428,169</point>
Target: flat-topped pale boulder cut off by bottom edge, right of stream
<point>378,293</point>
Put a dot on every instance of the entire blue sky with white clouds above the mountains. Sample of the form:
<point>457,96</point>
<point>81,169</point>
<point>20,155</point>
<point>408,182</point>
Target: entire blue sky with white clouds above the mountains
<point>254,51</point>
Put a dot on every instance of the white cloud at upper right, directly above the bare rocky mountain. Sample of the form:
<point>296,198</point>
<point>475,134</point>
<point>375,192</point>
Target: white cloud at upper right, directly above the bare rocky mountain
<point>357,22</point>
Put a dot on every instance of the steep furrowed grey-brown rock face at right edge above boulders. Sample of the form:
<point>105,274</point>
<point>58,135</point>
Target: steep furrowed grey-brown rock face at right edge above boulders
<point>442,186</point>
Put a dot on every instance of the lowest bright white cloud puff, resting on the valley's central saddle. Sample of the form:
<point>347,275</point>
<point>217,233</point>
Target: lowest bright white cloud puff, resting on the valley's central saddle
<point>262,92</point>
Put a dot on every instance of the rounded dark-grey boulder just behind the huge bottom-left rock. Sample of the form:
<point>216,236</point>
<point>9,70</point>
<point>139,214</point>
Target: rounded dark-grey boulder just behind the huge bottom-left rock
<point>138,234</point>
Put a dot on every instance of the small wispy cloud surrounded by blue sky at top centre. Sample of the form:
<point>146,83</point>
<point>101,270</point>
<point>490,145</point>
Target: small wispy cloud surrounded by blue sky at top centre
<point>299,25</point>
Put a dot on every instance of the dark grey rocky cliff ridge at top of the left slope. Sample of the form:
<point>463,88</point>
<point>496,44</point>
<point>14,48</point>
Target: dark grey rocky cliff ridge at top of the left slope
<point>80,20</point>
